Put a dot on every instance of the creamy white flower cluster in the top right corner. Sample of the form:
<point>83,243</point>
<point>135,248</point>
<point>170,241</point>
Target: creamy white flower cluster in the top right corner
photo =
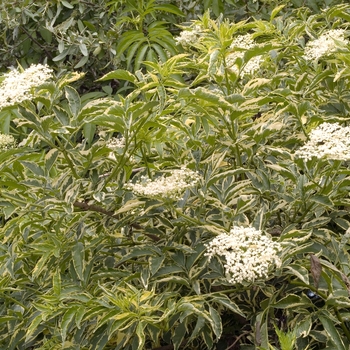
<point>327,43</point>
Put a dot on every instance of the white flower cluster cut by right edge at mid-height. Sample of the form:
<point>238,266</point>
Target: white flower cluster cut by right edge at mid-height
<point>328,140</point>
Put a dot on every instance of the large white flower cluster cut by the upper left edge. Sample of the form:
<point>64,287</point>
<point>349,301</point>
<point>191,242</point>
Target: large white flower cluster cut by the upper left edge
<point>17,86</point>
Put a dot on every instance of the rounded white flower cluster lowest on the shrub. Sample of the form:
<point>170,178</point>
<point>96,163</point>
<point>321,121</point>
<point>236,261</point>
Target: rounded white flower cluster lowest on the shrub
<point>249,255</point>
